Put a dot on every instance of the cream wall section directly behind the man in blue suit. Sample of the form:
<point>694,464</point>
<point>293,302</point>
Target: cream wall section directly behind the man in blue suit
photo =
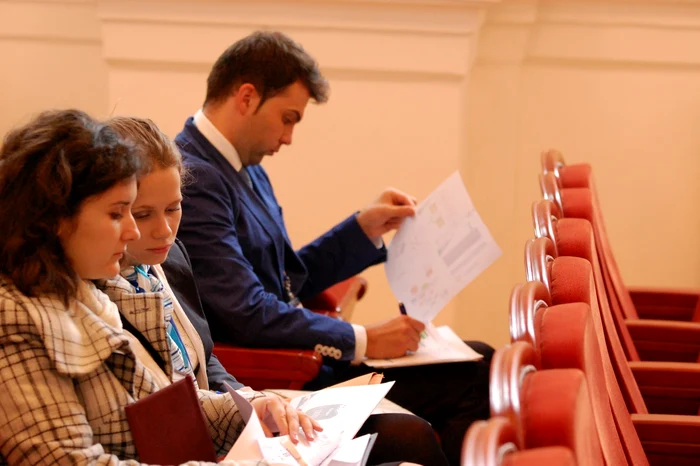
<point>391,119</point>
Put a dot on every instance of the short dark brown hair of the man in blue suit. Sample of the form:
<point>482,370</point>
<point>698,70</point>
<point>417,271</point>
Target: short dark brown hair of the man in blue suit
<point>270,61</point>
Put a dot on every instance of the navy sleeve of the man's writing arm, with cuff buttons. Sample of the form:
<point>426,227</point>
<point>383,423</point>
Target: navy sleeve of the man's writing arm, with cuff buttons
<point>238,307</point>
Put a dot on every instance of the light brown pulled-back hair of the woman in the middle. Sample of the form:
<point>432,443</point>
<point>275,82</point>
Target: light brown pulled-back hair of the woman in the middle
<point>157,151</point>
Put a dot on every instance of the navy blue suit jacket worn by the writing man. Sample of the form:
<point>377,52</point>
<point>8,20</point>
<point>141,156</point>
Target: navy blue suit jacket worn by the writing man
<point>239,249</point>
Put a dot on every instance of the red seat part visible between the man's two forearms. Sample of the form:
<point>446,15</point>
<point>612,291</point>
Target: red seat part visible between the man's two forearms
<point>339,300</point>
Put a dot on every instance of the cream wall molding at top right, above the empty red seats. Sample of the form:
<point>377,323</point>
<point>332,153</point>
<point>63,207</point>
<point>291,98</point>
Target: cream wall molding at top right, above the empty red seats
<point>592,33</point>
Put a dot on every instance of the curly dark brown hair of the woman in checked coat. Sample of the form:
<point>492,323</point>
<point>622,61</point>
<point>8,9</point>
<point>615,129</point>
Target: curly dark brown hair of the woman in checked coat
<point>48,168</point>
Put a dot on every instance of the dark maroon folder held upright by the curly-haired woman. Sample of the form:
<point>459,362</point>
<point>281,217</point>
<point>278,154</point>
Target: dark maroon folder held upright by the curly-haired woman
<point>169,427</point>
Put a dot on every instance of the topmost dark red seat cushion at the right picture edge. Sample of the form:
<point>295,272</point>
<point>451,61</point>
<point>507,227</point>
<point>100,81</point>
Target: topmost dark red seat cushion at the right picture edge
<point>666,304</point>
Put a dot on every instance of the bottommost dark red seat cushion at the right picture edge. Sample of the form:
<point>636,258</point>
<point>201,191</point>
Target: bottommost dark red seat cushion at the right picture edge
<point>669,439</point>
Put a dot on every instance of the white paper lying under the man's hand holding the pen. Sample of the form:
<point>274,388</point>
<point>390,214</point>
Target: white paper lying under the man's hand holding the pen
<point>439,345</point>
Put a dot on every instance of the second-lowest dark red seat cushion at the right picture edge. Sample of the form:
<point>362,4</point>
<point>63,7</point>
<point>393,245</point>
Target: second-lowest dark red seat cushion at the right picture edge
<point>669,387</point>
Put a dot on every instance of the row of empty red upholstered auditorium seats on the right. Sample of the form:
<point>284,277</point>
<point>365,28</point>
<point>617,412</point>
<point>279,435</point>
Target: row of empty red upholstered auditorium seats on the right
<point>596,374</point>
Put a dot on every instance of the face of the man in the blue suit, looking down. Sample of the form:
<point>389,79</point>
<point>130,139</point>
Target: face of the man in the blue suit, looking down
<point>271,125</point>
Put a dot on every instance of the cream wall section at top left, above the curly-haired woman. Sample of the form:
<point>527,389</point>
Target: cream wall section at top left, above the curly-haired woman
<point>51,57</point>
